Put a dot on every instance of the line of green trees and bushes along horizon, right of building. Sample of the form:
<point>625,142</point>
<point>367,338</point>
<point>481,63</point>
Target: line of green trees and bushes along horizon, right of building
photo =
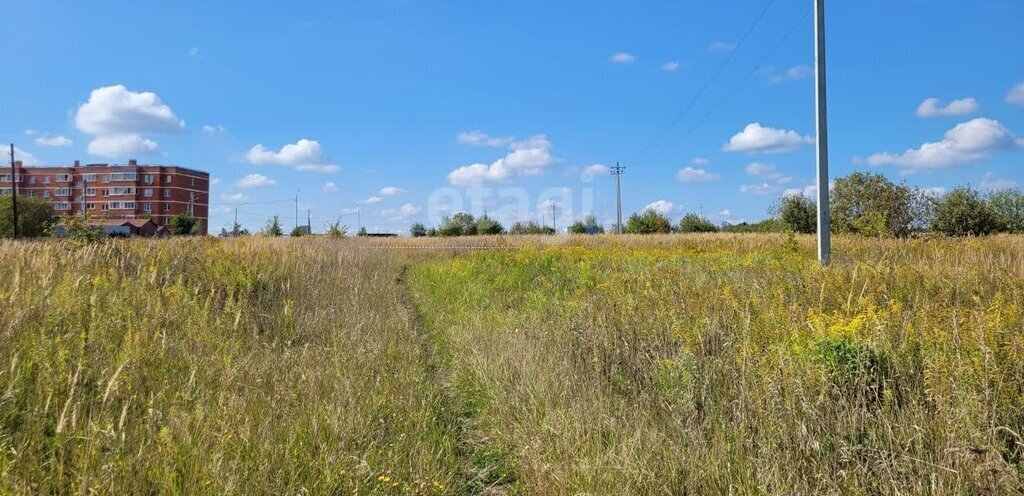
<point>862,203</point>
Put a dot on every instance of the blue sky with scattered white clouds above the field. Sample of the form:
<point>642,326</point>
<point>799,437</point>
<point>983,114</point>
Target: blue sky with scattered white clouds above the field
<point>408,109</point>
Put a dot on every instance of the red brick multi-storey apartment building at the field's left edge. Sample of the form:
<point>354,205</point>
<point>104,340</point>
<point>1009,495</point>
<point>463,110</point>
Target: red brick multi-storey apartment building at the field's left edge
<point>116,192</point>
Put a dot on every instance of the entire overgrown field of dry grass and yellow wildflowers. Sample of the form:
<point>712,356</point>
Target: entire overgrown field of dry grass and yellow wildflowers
<point>663,365</point>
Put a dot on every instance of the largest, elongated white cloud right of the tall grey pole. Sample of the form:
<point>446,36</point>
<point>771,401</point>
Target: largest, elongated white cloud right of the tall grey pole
<point>968,143</point>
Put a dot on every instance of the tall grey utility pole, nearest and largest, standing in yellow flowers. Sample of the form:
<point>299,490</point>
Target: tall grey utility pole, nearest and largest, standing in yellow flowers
<point>825,238</point>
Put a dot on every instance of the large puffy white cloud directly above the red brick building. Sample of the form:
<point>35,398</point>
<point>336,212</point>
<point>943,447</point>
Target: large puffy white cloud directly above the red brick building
<point>117,118</point>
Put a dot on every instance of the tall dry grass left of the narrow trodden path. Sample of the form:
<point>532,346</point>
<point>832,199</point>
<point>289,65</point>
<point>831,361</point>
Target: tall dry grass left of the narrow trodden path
<point>186,367</point>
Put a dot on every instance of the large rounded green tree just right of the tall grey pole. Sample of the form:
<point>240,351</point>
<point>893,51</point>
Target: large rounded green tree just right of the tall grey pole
<point>866,203</point>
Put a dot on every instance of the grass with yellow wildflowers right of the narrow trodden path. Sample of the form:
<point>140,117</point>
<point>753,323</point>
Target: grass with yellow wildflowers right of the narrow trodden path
<point>713,365</point>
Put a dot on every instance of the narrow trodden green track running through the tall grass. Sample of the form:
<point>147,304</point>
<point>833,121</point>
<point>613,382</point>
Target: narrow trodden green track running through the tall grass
<point>487,469</point>
